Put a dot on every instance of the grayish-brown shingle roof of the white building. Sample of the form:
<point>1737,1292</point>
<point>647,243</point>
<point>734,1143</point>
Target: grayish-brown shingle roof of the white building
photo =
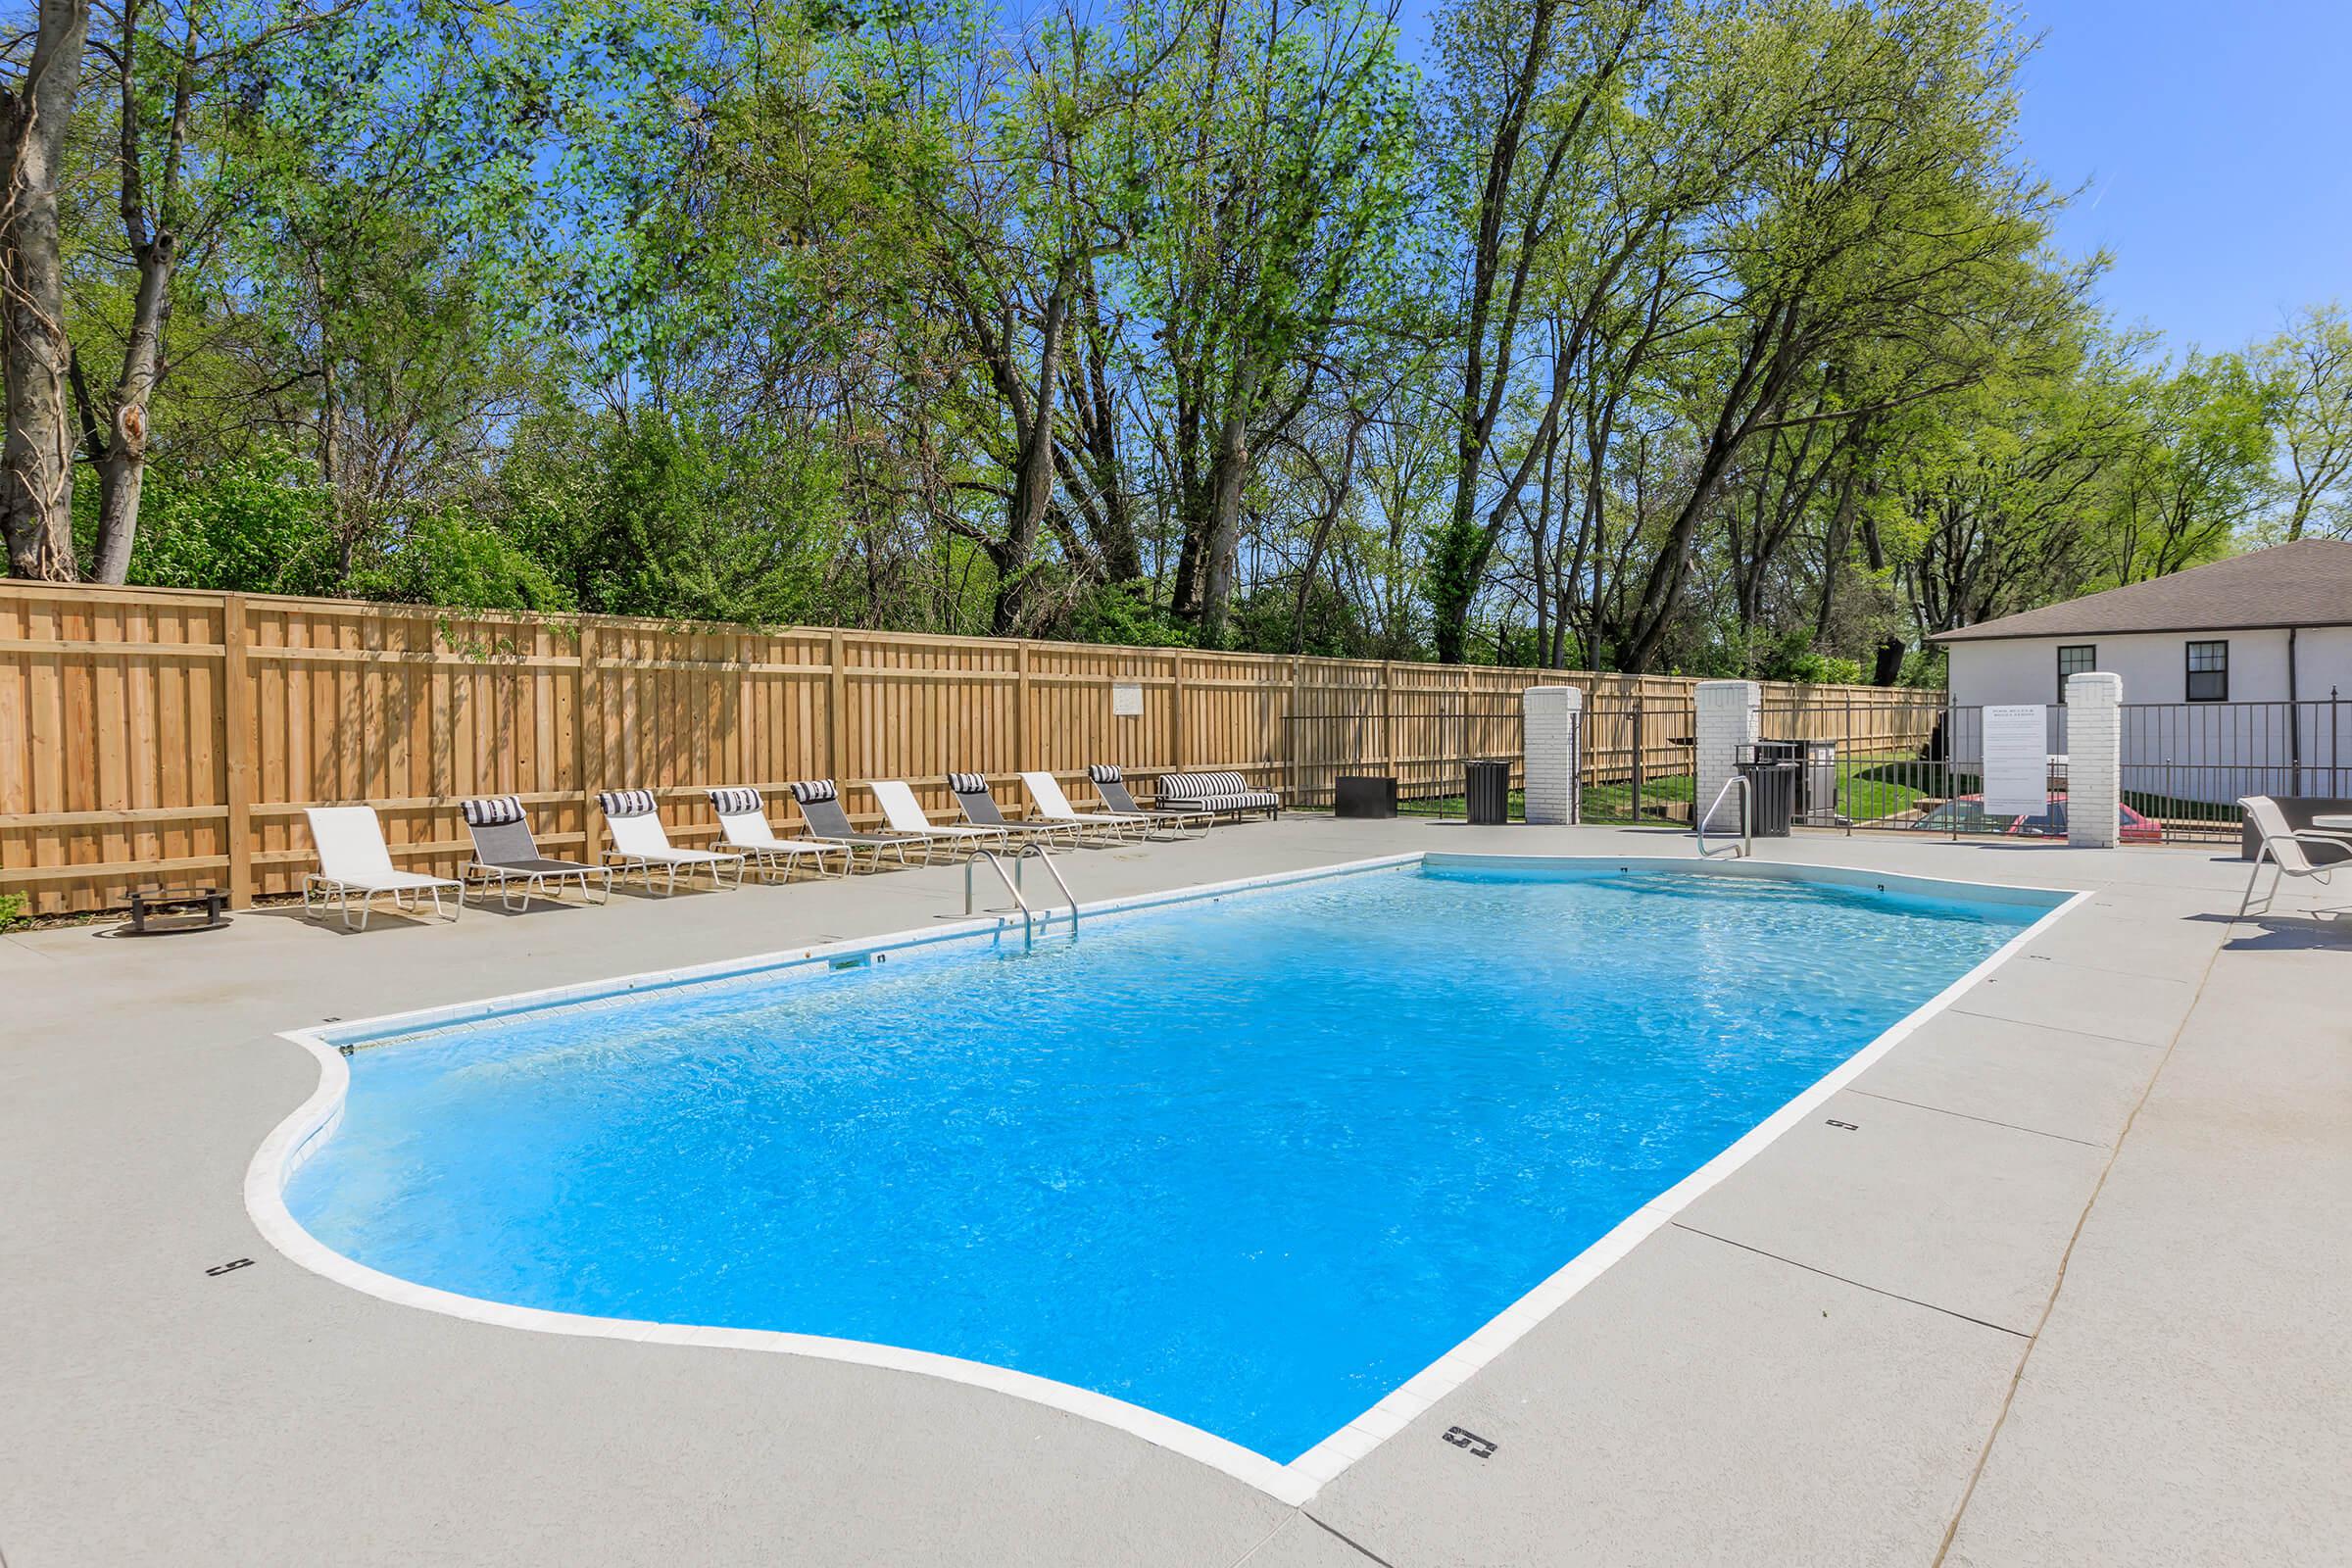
<point>2301,584</point>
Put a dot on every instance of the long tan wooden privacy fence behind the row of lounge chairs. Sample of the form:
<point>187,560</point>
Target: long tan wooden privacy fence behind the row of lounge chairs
<point>178,737</point>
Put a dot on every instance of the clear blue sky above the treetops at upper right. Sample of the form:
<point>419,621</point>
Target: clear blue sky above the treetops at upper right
<point>2214,140</point>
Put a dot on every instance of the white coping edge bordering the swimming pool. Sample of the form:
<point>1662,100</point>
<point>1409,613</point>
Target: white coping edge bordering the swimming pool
<point>1297,1482</point>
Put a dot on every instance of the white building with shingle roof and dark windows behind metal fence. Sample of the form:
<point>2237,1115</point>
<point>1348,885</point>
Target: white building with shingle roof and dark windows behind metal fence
<point>2238,676</point>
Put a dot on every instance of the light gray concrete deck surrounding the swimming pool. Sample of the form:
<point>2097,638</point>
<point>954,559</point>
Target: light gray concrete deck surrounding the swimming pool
<point>2069,1289</point>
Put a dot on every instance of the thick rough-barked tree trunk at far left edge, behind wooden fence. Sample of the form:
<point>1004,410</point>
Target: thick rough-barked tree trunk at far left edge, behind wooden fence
<point>36,457</point>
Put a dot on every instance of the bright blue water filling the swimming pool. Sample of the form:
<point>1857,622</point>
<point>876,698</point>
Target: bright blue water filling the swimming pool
<point>1248,1162</point>
